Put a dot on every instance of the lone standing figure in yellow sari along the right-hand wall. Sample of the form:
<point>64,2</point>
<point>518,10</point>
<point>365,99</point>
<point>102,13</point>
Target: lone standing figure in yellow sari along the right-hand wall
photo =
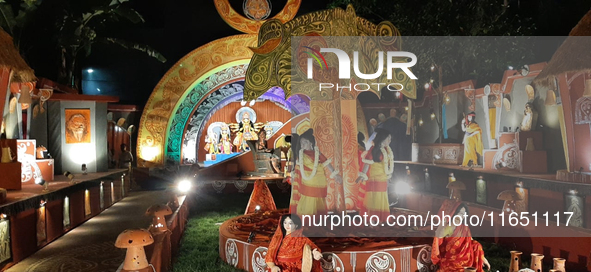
<point>472,140</point>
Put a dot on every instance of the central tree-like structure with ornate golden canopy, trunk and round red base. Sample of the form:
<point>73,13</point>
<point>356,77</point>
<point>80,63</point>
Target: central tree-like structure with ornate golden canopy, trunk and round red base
<point>336,119</point>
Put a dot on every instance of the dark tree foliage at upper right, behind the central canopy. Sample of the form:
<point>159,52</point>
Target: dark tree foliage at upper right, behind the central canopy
<point>461,58</point>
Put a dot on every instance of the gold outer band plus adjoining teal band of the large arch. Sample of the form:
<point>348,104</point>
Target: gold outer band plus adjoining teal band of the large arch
<point>186,84</point>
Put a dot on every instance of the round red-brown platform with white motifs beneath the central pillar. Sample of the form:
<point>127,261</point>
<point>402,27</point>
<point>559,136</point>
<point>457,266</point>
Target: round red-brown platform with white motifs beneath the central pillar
<point>340,253</point>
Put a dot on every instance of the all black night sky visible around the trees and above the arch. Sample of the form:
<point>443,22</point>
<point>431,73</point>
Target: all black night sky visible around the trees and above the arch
<point>176,27</point>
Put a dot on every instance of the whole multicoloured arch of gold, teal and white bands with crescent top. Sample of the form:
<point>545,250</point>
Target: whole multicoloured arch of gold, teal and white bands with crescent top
<point>198,86</point>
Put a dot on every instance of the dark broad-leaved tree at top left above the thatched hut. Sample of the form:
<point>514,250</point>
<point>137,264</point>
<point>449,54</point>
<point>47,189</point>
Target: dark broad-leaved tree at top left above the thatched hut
<point>75,26</point>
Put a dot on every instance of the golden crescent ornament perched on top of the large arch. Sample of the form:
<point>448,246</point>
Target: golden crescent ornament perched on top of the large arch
<point>245,25</point>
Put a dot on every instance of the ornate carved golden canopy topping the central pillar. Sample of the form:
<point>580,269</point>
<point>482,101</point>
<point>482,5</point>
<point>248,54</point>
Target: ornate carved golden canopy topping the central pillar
<point>272,64</point>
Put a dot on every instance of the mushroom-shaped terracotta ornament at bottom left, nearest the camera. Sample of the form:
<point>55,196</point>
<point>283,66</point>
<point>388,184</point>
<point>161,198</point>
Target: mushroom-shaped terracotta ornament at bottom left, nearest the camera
<point>134,241</point>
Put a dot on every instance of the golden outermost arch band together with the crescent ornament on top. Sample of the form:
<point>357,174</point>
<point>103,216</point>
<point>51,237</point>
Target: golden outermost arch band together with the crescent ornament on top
<point>202,62</point>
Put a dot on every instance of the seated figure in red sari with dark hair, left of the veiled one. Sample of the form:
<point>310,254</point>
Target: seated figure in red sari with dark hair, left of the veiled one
<point>290,251</point>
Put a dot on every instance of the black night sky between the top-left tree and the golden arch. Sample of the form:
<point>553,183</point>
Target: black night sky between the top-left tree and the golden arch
<point>174,28</point>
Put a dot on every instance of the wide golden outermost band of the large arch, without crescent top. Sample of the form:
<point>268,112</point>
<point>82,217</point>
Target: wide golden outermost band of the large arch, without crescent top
<point>173,88</point>
